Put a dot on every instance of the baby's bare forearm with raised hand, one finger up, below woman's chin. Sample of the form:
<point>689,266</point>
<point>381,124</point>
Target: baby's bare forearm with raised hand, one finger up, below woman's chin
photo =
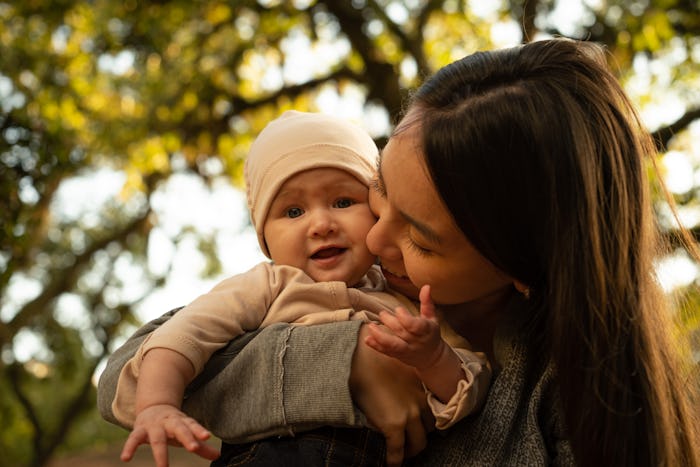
<point>416,341</point>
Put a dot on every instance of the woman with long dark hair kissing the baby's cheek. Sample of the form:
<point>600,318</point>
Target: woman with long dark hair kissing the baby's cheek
<point>516,187</point>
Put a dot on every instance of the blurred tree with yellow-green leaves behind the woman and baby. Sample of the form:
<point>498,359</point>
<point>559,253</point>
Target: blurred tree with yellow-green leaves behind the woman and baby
<point>149,90</point>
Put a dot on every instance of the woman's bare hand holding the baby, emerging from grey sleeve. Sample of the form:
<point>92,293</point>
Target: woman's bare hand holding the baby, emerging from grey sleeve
<point>392,398</point>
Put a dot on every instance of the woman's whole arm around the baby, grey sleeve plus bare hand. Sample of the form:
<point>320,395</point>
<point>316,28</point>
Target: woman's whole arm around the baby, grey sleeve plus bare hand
<point>288,379</point>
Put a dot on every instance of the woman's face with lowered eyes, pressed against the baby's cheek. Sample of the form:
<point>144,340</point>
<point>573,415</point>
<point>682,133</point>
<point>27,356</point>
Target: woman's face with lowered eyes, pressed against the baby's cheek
<point>416,237</point>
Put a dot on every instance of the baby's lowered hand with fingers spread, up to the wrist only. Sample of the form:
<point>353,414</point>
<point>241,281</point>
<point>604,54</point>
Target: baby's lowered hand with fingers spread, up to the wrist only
<point>160,425</point>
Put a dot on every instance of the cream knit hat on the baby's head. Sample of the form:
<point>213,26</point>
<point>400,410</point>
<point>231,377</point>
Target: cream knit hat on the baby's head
<point>298,141</point>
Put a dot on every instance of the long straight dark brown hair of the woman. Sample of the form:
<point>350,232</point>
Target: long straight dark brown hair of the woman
<point>543,161</point>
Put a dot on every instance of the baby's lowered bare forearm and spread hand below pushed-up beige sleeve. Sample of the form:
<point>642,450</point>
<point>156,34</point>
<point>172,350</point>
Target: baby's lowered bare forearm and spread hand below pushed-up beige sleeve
<point>164,374</point>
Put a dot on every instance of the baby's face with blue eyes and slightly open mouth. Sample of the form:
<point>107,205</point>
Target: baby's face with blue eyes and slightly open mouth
<point>318,222</point>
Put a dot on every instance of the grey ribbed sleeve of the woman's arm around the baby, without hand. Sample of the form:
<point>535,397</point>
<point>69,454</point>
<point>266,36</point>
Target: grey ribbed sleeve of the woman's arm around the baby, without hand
<point>283,379</point>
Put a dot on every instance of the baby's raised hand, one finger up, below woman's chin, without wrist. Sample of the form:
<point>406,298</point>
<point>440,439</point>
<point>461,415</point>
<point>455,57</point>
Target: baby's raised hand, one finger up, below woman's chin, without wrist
<point>415,340</point>
